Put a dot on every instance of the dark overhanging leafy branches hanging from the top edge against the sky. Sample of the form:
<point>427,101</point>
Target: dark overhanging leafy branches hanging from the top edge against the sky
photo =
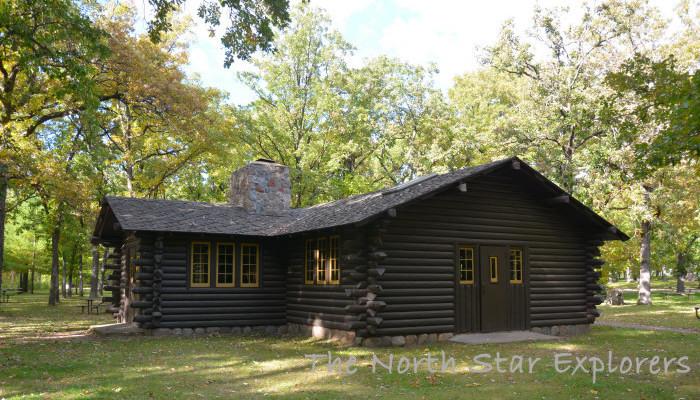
<point>251,23</point>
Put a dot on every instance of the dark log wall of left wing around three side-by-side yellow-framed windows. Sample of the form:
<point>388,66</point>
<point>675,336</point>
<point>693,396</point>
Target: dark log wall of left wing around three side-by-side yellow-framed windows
<point>165,298</point>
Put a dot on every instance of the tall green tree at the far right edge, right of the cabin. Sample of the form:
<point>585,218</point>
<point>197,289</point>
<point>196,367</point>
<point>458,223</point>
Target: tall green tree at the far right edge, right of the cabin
<point>654,129</point>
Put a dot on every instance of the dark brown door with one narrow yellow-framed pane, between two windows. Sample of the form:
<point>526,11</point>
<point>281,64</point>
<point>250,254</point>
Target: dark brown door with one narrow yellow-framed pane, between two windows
<point>494,280</point>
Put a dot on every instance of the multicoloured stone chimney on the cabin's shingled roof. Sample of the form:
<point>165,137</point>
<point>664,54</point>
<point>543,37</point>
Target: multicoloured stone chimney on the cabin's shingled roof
<point>262,187</point>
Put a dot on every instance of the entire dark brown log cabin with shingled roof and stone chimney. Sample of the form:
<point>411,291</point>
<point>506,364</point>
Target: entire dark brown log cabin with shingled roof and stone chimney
<point>496,247</point>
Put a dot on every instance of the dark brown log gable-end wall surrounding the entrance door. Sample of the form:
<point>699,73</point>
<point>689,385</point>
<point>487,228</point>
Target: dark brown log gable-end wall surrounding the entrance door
<point>418,278</point>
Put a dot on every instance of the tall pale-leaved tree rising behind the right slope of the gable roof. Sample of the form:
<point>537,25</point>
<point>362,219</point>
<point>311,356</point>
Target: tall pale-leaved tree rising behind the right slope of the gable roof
<point>566,86</point>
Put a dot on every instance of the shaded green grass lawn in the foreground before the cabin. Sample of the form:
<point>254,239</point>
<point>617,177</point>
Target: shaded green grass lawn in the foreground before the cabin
<point>43,355</point>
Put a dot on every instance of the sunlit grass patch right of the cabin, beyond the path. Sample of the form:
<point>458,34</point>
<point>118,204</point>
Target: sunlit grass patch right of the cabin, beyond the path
<point>670,310</point>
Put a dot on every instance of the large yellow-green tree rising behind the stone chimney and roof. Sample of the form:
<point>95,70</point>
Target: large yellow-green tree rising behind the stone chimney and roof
<point>342,130</point>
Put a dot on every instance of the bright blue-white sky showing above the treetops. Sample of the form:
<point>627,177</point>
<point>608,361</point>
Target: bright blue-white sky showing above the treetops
<point>447,33</point>
